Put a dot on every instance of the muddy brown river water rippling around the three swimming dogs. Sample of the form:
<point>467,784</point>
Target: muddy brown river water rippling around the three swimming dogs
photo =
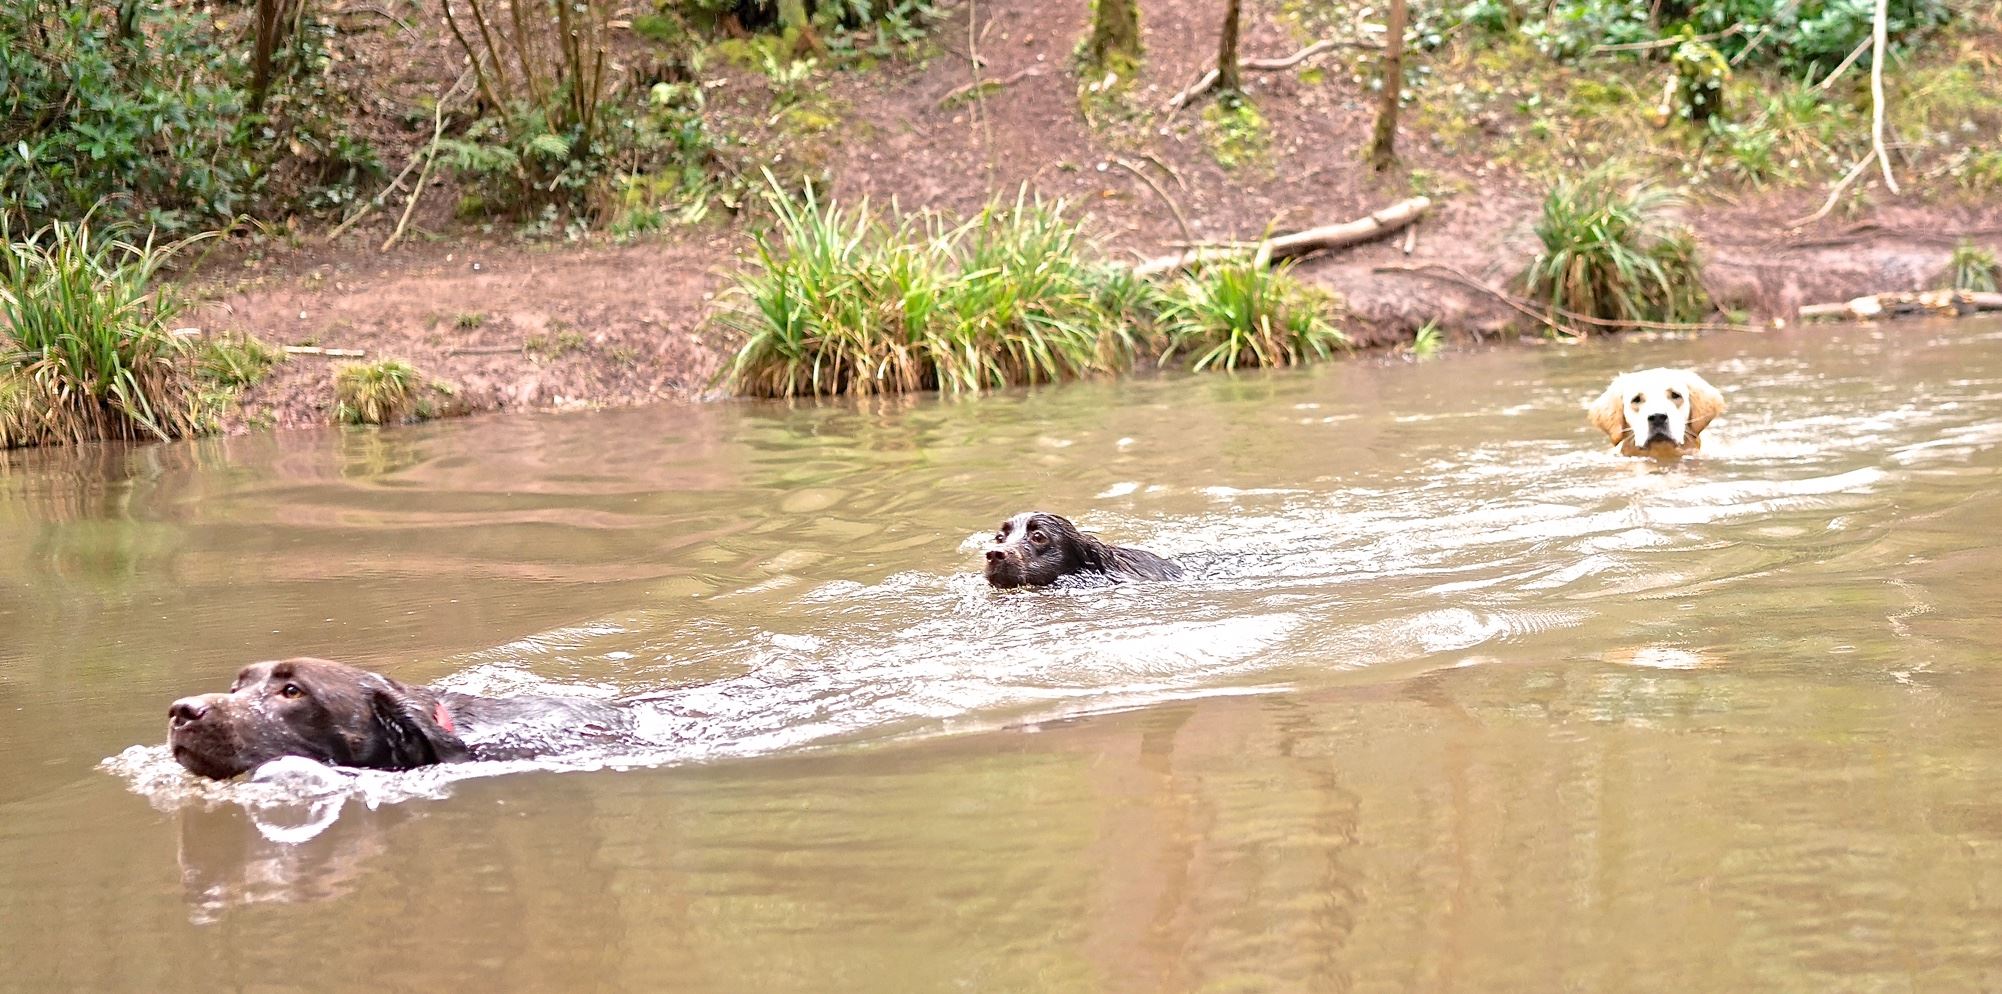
<point>1454,699</point>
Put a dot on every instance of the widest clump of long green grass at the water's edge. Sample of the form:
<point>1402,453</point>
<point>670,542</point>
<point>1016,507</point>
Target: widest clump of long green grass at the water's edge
<point>842,301</point>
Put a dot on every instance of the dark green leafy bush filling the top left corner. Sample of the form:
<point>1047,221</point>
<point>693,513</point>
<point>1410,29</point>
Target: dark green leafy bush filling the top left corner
<point>153,127</point>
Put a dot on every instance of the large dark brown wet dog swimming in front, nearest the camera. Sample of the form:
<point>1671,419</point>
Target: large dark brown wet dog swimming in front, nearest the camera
<point>347,717</point>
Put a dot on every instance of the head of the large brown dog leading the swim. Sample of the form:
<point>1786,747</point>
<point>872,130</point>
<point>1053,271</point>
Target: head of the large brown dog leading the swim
<point>315,709</point>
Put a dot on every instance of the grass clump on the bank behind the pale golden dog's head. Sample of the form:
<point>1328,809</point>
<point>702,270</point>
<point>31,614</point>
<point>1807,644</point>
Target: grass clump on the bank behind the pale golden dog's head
<point>1615,253</point>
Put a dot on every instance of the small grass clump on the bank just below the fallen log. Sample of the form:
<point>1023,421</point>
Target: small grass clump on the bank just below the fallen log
<point>1244,313</point>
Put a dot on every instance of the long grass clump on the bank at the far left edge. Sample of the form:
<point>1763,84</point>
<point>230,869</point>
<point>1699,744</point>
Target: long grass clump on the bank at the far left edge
<point>85,341</point>
